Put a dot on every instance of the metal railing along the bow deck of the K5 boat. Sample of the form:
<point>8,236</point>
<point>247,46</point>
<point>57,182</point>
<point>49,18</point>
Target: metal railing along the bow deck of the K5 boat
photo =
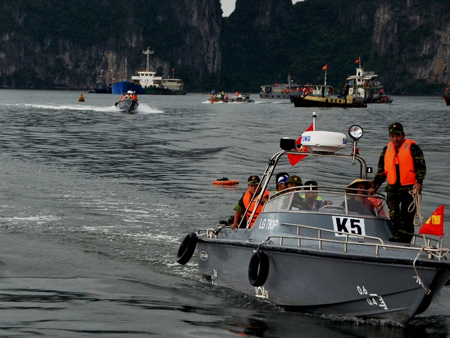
<point>377,243</point>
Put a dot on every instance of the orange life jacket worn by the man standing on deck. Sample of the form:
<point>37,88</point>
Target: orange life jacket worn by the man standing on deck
<point>405,162</point>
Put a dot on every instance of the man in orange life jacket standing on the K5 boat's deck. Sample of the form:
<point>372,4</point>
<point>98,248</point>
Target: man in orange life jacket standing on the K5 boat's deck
<point>402,163</point>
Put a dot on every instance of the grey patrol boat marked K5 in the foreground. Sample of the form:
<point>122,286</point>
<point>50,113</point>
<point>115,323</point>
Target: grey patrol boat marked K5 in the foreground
<point>331,261</point>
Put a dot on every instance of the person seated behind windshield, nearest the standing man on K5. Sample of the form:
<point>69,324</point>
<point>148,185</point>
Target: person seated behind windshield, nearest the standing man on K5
<point>358,201</point>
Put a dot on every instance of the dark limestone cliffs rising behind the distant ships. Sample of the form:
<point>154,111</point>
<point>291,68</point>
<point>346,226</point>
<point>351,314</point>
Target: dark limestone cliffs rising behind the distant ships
<point>59,44</point>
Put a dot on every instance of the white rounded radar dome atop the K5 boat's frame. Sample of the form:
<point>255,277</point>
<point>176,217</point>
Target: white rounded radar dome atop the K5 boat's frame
<point>324,141</point>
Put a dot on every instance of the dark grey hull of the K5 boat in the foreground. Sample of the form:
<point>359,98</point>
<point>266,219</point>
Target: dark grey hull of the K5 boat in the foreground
<point>300,280</point>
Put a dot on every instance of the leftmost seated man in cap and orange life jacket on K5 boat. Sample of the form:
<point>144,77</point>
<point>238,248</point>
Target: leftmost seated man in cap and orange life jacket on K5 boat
<point>244,203</point>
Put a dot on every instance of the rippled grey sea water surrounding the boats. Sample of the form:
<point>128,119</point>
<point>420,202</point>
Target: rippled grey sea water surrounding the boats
<point>94,204</point>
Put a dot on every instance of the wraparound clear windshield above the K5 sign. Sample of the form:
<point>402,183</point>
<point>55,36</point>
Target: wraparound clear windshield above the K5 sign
<point>327,200</point>
